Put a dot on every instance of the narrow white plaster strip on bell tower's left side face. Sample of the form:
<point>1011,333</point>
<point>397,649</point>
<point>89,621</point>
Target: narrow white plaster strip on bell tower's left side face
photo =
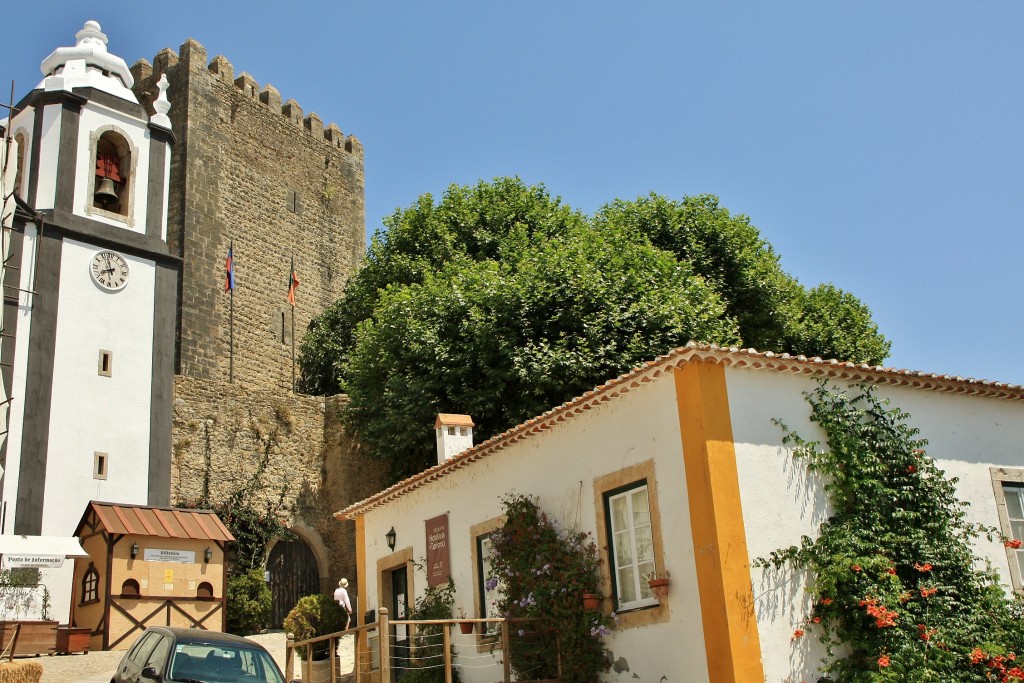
<point>9,508</point>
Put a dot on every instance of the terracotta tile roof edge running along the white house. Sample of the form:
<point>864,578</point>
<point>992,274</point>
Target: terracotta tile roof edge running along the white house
<point>733,356</point>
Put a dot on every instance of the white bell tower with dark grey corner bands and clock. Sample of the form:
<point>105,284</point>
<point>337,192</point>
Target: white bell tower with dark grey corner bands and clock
<point>90,300</point>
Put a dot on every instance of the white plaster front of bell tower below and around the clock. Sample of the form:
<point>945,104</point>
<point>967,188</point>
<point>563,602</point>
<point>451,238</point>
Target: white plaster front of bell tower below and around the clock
<point>93,413</point>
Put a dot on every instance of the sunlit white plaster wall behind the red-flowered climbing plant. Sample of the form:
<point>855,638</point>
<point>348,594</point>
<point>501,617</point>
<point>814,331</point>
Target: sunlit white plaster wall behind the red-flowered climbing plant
<point>966,435</point>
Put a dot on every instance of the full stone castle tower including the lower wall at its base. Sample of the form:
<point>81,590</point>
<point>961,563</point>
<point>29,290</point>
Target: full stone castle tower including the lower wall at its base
<point>258,176</point>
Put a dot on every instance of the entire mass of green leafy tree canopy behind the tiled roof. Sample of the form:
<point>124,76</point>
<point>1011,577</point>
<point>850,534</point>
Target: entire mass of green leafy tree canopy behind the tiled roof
<point>500,302</point>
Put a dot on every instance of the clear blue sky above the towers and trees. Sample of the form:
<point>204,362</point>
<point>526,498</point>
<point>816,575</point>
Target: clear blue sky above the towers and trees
<point>877,146</point>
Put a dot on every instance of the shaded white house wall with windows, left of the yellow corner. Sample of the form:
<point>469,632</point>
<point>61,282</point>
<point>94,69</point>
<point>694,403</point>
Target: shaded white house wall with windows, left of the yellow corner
<point>560,467</point>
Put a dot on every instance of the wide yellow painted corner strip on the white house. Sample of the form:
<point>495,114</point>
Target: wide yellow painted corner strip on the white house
<point>731,625</point>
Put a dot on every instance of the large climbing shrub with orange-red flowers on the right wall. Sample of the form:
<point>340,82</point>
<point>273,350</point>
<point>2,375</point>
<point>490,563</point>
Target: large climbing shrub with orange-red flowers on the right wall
<point>894,578</point>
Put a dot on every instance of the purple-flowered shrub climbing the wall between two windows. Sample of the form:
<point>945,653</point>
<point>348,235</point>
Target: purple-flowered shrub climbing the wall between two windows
<point>542,572</point>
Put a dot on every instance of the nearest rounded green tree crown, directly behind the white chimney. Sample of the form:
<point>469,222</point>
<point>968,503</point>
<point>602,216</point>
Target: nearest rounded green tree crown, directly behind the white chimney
<point>506,340</point>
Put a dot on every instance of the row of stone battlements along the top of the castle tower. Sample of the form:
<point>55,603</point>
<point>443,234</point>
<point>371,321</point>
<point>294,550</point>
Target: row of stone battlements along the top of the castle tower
<point>194,57</point>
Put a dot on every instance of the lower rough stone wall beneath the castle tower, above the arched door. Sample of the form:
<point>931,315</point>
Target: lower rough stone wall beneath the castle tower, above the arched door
<point>222,434</point>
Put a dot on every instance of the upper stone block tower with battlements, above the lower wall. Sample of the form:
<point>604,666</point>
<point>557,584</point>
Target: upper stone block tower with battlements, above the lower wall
<point>277,182</point>
